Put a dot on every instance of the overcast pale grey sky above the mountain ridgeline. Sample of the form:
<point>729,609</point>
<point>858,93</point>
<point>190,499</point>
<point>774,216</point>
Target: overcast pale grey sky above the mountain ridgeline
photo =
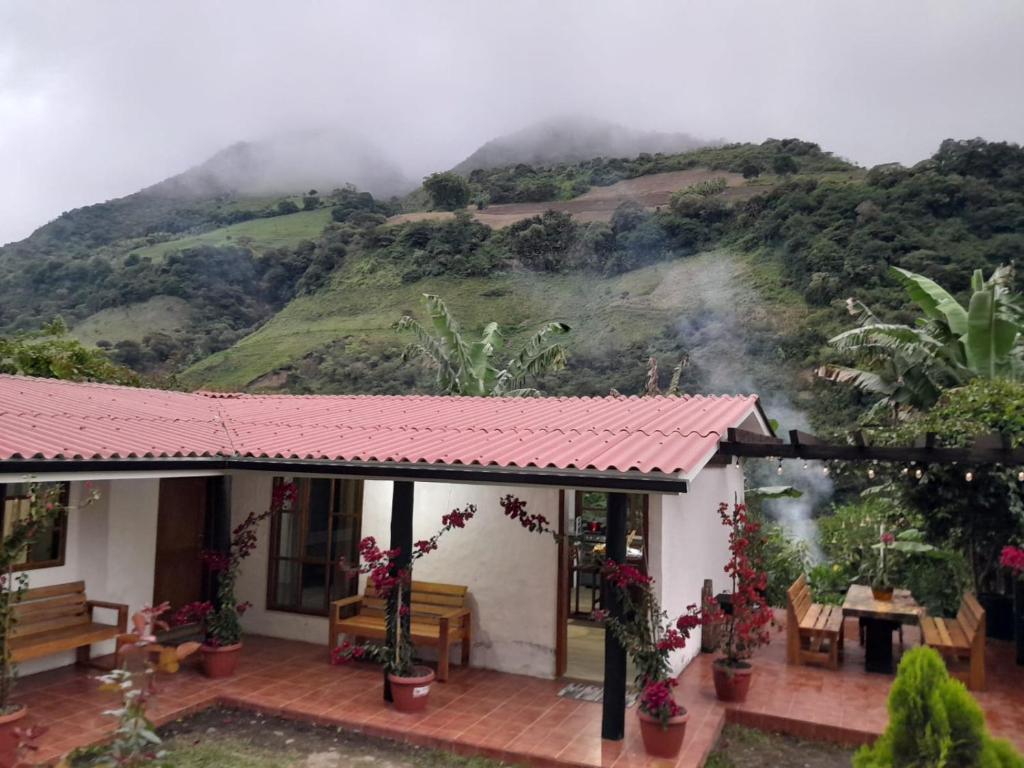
<point>99,99</point>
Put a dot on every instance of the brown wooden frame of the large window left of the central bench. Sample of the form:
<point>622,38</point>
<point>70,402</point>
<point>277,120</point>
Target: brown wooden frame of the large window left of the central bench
<point>302,506</point>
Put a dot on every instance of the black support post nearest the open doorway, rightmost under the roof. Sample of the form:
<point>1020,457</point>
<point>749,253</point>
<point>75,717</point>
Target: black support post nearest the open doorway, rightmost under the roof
<point>614,707</point>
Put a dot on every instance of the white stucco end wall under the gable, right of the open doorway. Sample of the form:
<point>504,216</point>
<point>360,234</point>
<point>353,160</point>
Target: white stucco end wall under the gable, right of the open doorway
<point>690,544</point>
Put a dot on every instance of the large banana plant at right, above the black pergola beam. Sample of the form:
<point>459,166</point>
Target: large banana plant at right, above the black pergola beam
<point>912,366</point>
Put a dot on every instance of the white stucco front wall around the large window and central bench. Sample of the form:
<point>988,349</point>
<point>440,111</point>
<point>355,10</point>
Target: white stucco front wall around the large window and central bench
<point>511,574</point>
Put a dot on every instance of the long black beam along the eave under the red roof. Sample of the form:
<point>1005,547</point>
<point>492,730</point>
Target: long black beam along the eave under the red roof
<point>547,477</point>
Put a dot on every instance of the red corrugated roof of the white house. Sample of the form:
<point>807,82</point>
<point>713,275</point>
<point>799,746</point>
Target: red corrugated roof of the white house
<point>49,419</point>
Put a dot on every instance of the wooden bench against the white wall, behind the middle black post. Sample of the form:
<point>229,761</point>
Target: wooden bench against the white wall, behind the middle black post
<point>439,614</point>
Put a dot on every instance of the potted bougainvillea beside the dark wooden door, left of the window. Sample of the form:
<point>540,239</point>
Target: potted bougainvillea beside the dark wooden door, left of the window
<point>222,620</point>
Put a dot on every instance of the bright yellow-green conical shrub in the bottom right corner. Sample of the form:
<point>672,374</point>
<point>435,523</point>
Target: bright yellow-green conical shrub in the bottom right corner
<point>934,723</point>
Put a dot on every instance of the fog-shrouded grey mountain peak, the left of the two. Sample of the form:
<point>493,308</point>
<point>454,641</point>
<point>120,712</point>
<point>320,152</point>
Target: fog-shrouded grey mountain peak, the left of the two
<point>290,163</point>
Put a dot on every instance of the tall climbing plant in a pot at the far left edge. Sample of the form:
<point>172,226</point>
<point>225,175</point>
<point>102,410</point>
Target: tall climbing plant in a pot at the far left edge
<point>45,505</point>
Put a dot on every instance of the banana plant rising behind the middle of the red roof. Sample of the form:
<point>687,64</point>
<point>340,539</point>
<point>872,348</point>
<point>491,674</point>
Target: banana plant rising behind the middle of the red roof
<point>471,368</point>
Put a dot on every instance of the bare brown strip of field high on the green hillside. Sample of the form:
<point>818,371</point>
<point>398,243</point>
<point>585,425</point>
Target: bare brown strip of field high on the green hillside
<point>601,202</point>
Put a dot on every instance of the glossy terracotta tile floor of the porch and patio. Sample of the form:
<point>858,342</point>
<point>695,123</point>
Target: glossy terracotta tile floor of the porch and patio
<point>517,719</point>
